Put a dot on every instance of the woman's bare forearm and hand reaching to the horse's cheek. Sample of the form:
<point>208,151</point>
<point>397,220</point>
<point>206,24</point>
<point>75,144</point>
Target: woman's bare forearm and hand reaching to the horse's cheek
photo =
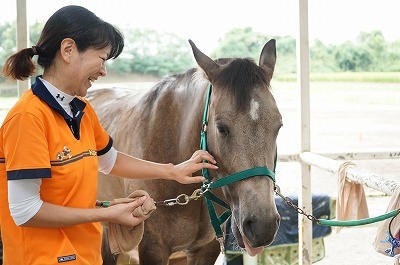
<point>131,167</point>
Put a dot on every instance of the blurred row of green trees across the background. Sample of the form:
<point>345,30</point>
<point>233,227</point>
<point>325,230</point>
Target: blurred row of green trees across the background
<point>148,51</point>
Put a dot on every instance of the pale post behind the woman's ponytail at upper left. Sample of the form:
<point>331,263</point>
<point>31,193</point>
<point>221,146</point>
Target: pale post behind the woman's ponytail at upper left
<point>22,39</point>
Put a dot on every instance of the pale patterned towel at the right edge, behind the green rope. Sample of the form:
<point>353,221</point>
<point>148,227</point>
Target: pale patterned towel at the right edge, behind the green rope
<point>384,243</point>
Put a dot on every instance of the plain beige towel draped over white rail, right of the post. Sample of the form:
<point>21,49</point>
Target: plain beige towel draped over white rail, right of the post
<point>351,203</point>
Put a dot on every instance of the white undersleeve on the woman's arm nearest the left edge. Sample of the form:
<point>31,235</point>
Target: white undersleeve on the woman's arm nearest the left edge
<point>24,199</point>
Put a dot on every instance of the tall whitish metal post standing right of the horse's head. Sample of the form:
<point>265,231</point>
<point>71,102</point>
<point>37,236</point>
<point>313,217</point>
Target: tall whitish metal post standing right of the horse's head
<point>303,78</point>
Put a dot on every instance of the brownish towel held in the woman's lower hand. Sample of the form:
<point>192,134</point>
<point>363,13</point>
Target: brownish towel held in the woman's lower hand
<point>124,238</point>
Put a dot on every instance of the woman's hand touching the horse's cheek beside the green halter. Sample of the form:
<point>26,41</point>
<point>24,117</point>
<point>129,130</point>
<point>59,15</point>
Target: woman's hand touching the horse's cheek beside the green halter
<point>183,171</point>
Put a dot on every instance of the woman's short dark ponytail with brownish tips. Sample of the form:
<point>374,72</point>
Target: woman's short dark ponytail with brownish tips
<point>20,65</point>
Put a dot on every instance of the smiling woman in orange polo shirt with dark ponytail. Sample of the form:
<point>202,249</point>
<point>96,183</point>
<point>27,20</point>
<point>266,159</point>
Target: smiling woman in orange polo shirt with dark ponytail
<point>52,145</point>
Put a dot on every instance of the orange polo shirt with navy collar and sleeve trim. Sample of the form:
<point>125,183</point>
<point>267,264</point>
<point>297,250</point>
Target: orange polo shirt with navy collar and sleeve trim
<point>38,139</point>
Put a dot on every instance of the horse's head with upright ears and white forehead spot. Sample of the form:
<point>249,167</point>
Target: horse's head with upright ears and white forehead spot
<point>243,125</point>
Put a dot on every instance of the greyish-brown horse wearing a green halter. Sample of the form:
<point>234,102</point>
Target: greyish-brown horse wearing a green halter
<point>164,125</point>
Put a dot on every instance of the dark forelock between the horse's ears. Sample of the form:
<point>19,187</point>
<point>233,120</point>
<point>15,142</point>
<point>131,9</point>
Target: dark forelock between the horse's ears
<point>240,76</point>
